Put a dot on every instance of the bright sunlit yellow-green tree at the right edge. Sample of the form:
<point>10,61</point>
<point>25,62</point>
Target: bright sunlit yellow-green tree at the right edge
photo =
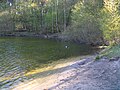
<point>110,21</point>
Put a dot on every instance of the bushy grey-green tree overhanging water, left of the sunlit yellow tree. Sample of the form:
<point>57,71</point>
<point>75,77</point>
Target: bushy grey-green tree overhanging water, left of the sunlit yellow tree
<point>85,26</point>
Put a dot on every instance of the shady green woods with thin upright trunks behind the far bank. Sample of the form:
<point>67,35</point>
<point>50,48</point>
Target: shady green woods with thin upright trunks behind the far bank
<point>46,16</point>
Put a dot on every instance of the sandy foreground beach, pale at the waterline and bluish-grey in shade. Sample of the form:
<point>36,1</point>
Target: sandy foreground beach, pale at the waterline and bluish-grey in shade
<point>85,74</point>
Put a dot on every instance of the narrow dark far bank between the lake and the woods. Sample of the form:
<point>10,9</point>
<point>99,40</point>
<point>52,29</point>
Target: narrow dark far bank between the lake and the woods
<point>54,36</point>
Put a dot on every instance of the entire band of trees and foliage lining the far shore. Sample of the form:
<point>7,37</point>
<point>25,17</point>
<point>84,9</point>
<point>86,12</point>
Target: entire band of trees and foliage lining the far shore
<point>86,21</point>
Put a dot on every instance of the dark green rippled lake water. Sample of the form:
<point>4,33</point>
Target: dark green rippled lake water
<point>19,56</point>
